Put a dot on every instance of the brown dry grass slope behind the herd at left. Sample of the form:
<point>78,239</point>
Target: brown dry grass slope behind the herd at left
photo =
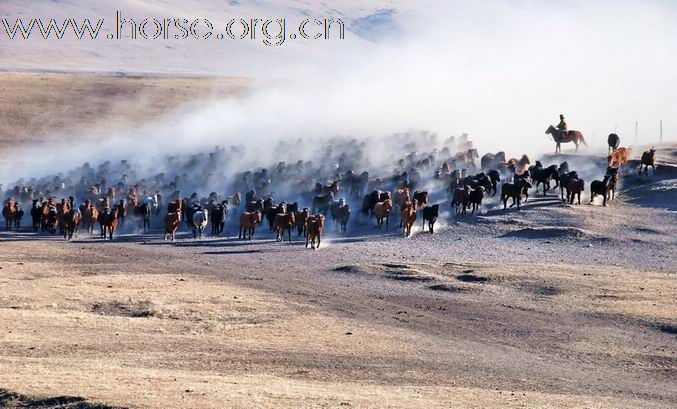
<point>36,105</point>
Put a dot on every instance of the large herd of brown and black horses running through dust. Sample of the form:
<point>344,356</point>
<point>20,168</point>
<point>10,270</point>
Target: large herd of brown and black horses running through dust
<point>327,191</point>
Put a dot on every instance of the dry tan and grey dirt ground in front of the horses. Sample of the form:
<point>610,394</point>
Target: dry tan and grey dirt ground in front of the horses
<point>554,306</point>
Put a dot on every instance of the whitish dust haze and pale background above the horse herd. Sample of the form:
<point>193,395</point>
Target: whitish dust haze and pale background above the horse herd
<point>500,70</point>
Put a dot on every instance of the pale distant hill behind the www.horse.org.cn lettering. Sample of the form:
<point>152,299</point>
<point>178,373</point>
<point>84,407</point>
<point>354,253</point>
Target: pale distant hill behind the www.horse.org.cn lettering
<point>185,56</point>
